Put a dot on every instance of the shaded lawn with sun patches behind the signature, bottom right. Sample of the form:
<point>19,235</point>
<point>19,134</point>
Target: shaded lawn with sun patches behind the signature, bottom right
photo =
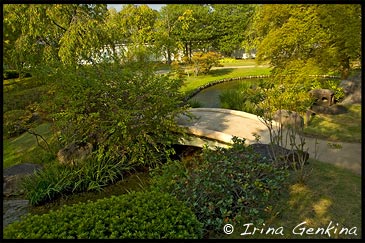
<point>330,194</point>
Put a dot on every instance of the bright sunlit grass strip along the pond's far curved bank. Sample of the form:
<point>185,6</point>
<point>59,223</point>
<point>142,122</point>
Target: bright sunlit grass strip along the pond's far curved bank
<point>192,82</point>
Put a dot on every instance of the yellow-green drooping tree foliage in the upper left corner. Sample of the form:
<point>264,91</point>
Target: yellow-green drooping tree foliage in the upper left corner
<point>52,33</point>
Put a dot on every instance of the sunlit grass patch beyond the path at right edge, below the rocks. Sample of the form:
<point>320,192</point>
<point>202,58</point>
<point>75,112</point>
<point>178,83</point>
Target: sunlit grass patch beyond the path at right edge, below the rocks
<point>342,127</point>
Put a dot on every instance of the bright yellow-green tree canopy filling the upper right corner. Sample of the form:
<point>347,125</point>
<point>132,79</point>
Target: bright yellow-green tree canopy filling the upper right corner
<point>323,36</point>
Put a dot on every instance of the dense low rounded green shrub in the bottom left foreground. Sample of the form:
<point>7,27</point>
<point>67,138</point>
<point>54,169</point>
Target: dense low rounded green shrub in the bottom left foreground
<point>149,215</point>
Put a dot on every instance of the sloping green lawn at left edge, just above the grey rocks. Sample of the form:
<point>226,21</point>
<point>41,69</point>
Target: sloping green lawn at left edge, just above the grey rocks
<point>24,149</point>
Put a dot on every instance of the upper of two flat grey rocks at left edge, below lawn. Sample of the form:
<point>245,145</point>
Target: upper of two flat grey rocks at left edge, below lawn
<point>13,176</point>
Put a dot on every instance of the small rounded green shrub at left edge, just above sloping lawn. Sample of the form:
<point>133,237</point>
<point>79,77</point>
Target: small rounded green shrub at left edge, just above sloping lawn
<point>15,121</point>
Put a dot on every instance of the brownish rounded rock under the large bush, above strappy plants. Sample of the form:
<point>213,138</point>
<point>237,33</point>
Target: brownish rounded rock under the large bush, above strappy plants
<point>74,153</point>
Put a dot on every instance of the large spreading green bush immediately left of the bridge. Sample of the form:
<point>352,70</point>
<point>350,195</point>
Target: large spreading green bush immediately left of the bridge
<point>124,111</point>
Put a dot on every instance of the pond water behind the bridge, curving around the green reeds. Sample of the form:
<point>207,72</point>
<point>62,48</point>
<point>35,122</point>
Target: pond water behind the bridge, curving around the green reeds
<point>209,97</point>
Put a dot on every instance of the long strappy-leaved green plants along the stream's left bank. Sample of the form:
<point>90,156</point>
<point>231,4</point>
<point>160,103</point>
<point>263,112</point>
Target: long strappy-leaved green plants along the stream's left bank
<point>56,180</point>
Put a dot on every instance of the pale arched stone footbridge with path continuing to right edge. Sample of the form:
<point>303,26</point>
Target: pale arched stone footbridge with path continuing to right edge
<point>216,127</point>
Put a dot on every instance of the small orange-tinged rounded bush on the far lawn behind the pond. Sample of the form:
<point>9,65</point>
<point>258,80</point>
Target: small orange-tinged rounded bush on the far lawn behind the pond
<point>203,62</point>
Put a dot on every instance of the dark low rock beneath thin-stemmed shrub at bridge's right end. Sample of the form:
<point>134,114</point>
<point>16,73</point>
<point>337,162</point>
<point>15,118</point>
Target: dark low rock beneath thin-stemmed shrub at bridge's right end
<point>280,155</point>
